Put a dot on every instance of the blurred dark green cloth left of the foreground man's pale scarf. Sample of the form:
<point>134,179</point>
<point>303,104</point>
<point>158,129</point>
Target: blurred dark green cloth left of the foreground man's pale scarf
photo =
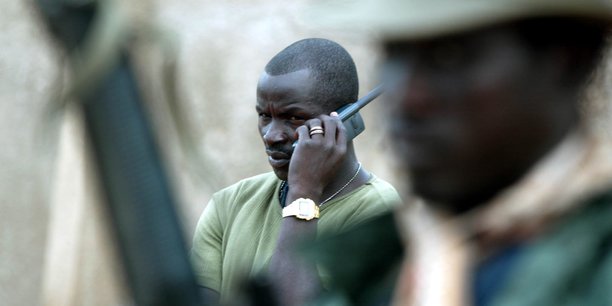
<point>368,275</point>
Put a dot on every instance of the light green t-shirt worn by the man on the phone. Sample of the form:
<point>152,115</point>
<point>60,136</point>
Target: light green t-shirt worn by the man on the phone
<point>237,232</point>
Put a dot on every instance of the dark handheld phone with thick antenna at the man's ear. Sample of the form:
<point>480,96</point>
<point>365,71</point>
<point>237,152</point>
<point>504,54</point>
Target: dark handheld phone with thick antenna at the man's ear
<point>349,114</point>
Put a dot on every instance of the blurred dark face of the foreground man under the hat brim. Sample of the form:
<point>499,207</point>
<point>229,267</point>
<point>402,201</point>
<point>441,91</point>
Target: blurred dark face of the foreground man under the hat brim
<point>469,114</point>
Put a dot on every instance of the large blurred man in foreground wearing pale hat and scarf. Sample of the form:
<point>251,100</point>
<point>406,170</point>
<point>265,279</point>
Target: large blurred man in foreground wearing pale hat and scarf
<point>515,191</point>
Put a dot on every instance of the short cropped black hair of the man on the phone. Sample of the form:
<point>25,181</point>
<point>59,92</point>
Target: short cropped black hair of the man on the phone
<point>331,65</point>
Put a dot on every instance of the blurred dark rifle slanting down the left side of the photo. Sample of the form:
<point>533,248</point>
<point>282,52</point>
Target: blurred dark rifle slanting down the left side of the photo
<point>138,197</point>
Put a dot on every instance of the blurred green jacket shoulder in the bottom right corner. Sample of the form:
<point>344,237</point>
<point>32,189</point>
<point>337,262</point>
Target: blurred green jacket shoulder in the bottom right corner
<point>572,265</point>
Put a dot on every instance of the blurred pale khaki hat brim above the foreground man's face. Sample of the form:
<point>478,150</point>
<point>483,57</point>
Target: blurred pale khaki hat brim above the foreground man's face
<point>413,19</point>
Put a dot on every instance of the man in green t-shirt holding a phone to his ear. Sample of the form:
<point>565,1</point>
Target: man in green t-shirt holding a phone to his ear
<point>317,185</point>
